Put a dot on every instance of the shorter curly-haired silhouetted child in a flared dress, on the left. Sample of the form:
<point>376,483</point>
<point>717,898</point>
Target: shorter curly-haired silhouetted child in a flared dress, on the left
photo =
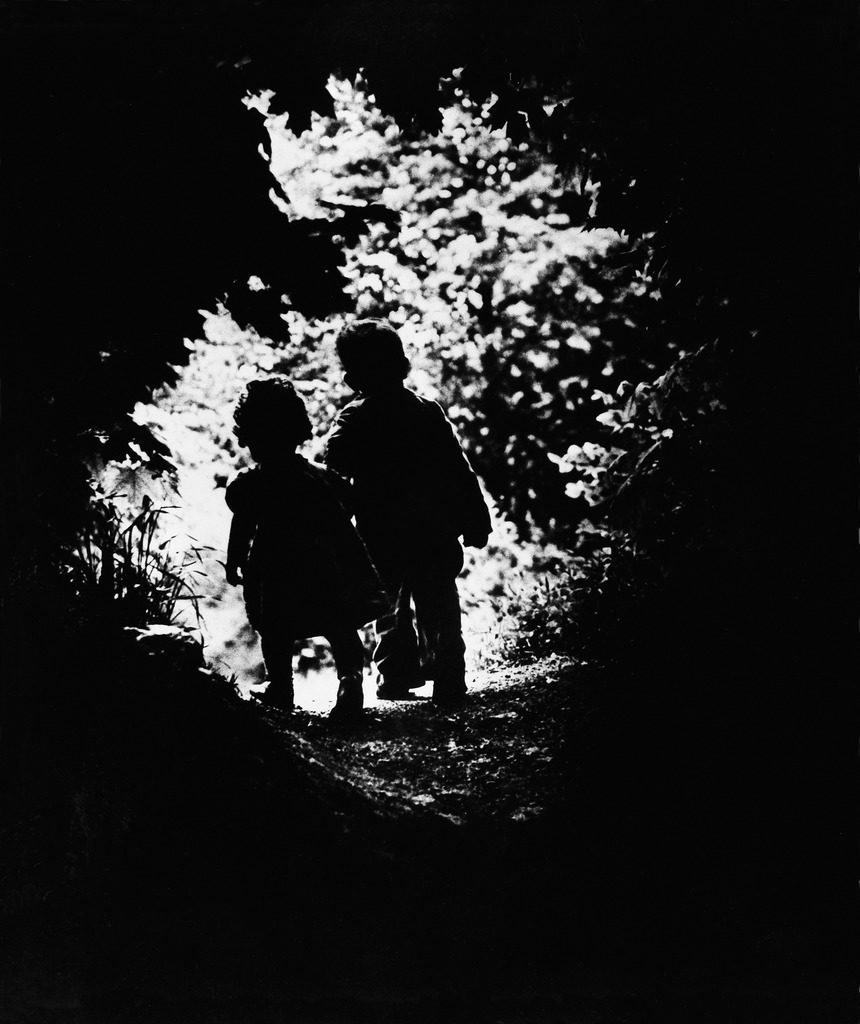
<point>305,569</point>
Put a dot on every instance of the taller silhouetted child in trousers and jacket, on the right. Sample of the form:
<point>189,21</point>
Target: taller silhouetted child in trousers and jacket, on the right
<point>415,496</point>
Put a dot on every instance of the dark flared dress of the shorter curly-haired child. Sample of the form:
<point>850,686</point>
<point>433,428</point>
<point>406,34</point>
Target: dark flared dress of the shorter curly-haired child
<point>309,572</point>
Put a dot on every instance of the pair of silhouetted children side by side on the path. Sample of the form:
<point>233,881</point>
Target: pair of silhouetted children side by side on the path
<point>395,463</point>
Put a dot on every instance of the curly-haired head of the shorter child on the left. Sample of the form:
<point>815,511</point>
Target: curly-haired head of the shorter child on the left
<point>271,417</point>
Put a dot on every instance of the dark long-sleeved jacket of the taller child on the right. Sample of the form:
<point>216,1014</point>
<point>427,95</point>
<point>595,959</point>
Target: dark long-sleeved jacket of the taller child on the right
<point>412,483</point>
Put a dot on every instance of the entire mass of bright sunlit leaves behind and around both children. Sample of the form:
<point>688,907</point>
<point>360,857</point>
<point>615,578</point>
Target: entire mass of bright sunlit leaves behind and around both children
<point>524,325</point>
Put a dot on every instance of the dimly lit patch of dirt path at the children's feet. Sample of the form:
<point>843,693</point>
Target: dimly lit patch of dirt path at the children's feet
<point>491,759</point>
